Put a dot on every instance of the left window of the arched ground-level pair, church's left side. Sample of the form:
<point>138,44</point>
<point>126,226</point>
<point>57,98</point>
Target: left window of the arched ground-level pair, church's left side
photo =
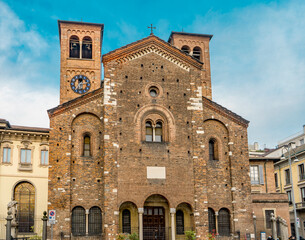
<point>78,221</point>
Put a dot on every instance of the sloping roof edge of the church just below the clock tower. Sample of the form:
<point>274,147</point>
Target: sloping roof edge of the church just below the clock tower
<point>75,102</point>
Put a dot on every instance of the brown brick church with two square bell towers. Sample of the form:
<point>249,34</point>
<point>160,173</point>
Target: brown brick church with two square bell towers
<point>146,150</point>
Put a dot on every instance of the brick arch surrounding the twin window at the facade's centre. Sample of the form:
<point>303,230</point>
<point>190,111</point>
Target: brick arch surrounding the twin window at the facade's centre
<point>151,109</point>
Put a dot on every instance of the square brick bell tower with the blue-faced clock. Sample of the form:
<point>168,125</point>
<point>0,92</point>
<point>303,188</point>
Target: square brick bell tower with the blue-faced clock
<point>80,58</point>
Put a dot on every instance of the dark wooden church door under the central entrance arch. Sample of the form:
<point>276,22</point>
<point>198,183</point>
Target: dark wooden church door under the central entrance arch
<point>154,223</point>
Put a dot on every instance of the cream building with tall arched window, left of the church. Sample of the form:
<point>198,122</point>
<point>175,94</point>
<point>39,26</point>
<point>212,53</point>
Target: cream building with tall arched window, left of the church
<point>23,175</point>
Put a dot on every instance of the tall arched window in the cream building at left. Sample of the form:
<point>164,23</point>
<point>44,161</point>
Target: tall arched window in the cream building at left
<point>24,194</point>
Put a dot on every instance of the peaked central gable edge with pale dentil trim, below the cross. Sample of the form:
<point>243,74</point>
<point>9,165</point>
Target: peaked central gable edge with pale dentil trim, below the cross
<point>151,40</point>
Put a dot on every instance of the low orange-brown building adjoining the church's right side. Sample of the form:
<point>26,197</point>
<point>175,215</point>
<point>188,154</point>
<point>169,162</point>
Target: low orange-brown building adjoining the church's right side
<point>265,198</point>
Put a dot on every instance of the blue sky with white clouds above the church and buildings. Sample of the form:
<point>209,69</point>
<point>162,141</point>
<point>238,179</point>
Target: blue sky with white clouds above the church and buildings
<point>257,54</point>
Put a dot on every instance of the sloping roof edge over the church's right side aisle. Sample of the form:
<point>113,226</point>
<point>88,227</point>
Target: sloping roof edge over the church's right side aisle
<point>225,112</point>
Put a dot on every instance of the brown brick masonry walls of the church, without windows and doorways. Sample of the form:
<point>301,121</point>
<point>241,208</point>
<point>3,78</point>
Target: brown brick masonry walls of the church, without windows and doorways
<point>114,115</point>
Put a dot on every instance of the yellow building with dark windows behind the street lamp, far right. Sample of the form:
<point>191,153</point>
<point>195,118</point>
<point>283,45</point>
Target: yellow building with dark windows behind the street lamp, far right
<point>283,183</point>
